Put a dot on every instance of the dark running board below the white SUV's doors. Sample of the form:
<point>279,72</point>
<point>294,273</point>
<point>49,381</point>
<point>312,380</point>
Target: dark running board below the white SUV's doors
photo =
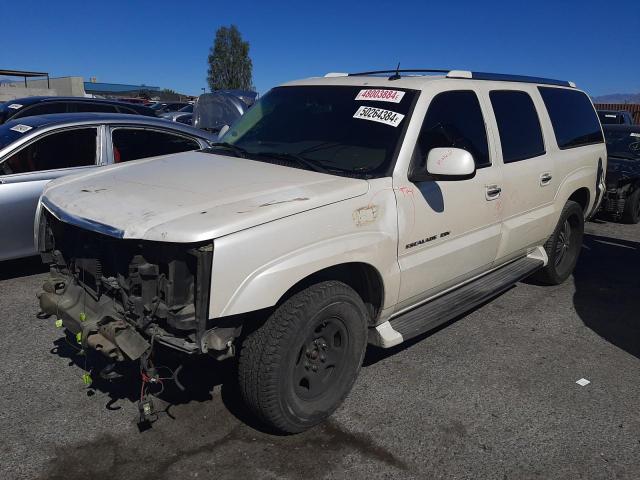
<point>452,304</point>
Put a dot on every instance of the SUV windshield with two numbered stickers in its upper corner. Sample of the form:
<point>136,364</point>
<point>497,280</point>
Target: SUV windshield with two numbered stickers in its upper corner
<point>340,129</point>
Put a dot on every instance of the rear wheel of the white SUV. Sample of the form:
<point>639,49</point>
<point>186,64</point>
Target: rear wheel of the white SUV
<point>563,247</point>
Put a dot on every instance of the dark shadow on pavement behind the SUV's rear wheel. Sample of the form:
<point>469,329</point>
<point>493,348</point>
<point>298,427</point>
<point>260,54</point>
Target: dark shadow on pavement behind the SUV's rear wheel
<point>607,297</point>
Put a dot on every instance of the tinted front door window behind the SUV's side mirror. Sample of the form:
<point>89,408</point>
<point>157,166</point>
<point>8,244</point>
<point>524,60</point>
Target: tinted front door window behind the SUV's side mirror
<point>454,119</point>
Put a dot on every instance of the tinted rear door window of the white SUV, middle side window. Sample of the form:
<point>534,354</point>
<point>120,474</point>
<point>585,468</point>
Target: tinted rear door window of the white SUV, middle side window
<point>518,125</point>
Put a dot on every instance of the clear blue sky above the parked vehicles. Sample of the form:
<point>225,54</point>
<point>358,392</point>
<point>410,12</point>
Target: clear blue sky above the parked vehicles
<point>165,43</point>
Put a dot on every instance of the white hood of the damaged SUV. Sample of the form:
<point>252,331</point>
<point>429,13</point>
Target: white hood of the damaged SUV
<point>191,197</point>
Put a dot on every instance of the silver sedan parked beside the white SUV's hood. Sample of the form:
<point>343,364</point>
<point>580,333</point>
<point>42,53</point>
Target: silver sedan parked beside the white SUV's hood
<point>37,149</point>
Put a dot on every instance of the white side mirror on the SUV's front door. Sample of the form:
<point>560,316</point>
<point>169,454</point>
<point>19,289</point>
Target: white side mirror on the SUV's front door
<point>446,164</point>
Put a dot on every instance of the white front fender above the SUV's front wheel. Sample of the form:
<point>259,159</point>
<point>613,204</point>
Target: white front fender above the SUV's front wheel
<point>254,268</point>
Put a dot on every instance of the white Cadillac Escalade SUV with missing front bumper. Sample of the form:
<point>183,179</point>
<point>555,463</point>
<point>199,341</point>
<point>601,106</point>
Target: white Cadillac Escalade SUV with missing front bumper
<point>338,210</point>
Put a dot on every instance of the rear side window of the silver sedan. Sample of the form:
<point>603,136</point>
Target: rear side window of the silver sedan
<point>131,144</point>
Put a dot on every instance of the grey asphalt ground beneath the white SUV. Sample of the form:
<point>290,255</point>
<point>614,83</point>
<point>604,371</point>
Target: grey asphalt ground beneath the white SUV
<point>491,395</point>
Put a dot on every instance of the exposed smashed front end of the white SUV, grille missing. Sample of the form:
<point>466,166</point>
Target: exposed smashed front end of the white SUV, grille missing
<point>120,296</point>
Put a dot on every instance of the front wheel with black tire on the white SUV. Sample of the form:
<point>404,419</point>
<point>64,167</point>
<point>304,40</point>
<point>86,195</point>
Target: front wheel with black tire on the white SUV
<point>298,367</point>
